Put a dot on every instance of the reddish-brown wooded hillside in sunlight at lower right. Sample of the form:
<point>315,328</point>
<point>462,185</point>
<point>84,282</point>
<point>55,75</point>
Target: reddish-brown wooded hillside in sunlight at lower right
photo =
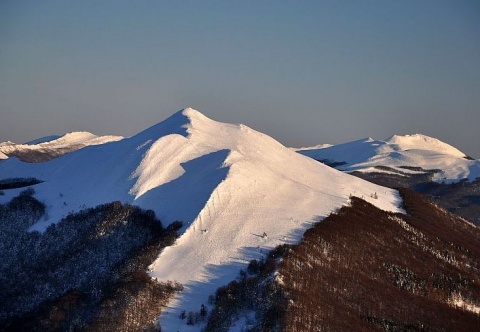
<point>363,269</point>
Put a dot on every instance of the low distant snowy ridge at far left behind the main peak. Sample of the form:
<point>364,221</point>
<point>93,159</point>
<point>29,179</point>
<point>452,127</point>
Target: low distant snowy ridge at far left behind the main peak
<point>49,147</point>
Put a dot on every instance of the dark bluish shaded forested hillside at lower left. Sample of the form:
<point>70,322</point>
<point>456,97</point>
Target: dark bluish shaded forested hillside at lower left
<point>85,273</point>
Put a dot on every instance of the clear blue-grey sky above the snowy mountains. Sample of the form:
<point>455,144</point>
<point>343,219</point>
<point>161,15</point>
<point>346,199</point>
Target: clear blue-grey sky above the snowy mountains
<point>304,72</point>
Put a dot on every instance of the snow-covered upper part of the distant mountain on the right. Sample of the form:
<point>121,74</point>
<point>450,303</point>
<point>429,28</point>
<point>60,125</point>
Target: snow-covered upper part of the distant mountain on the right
<point>410,150</point>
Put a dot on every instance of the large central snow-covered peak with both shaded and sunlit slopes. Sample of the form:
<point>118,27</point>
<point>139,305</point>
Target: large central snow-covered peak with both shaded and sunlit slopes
<point>239,193</point>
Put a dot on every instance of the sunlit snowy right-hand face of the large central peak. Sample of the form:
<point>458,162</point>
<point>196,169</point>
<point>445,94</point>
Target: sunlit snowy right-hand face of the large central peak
<point>265,187</point>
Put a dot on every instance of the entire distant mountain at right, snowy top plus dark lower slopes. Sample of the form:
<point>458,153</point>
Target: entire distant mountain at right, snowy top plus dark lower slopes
<point>425,164</point>
